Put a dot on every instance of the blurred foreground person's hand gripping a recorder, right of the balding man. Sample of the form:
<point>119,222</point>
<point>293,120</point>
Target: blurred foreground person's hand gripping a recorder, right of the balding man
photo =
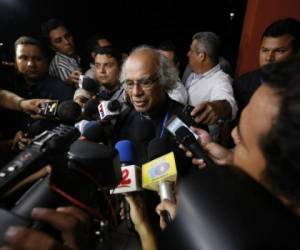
<point>216,152</point>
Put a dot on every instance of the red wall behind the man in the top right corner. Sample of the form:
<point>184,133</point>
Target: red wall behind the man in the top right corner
<point>259,14</point>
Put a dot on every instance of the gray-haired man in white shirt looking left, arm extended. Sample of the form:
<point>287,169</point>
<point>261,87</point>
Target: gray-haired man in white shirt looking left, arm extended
<point>209,88</point>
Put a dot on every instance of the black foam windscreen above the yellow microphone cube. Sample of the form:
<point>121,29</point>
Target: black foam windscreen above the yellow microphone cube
<point>158,147</point>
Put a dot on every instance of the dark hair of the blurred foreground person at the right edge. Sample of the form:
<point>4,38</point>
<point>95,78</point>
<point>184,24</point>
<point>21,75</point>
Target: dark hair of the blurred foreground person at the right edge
<point>281,145</point>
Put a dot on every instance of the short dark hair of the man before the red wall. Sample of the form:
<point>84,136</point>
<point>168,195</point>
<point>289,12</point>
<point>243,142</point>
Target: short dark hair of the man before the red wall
<point>287,26</point>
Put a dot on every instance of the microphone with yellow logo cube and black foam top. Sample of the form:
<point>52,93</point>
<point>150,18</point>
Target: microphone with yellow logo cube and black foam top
<point>160,173</point>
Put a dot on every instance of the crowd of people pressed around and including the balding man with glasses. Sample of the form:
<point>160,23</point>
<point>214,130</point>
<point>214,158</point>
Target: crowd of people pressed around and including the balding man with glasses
<point>263,105</point>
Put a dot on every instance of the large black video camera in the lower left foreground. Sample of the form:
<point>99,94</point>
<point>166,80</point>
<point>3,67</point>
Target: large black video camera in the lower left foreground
<point>81,174</point>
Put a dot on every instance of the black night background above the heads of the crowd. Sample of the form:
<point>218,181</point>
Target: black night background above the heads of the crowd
<point>129,23</point>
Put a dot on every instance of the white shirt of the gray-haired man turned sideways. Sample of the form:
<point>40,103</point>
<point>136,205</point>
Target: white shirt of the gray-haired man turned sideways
<point>213,85</point>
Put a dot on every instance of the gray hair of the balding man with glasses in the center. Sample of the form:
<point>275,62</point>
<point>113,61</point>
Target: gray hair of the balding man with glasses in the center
<point>166,72</point>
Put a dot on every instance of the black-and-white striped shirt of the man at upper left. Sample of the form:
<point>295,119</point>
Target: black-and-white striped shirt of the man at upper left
<point>62,66</point>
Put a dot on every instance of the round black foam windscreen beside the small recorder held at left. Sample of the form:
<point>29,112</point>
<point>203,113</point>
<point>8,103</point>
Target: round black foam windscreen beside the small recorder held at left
<point>68,111</point>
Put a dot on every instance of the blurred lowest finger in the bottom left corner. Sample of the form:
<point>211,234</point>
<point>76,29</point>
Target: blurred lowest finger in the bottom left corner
<point>25,238</point>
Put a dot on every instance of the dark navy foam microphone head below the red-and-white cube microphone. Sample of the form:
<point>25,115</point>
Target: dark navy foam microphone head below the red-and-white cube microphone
<point>93,131</point>
